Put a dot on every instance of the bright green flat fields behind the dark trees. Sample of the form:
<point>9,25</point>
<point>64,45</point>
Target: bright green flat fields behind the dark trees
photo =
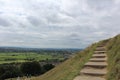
<point>21,57</point>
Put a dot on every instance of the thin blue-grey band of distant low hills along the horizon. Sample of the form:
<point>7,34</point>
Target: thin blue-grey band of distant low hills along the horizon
<point>20,49</point>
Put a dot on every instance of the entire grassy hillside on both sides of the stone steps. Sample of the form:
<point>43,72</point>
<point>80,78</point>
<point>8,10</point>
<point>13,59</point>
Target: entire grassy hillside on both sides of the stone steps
<point>71,68</point>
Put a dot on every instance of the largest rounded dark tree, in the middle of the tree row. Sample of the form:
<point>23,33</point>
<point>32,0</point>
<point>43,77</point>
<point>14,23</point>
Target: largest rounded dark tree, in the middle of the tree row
<point>30,68</point>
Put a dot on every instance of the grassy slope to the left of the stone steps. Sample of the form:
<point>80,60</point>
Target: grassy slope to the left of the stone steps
<point>70,68</point>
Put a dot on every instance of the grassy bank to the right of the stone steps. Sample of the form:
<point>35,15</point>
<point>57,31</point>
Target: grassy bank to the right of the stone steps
<point>113,48</point>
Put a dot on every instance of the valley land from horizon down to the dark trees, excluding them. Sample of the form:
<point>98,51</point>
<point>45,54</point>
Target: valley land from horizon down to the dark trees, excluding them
<point>17,55</point>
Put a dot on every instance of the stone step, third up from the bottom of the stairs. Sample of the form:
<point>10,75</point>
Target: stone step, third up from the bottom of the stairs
<point>96,64</point>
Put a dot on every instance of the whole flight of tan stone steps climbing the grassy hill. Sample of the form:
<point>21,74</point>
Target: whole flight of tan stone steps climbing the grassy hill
<point>95,69</point>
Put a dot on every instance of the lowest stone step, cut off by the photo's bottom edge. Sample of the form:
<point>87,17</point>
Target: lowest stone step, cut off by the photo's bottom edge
<point>82,77</point>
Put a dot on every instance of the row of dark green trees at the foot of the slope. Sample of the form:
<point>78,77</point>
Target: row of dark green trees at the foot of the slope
<point>24,69</point>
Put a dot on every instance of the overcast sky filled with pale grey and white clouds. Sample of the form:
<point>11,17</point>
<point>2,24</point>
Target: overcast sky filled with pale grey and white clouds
<point>57,23</point>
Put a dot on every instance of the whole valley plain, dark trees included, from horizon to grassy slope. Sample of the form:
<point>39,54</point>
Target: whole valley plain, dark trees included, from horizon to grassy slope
<point>13,61</point>
